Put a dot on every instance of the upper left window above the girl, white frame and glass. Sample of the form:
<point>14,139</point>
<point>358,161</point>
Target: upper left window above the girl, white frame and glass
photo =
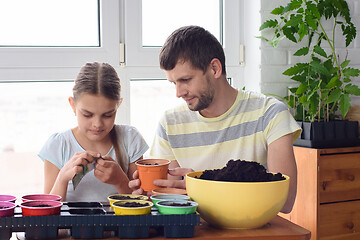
<point>63,61</point>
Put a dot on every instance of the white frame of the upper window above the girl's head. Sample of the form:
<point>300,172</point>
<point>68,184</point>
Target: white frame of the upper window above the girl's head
<point>59,63</point>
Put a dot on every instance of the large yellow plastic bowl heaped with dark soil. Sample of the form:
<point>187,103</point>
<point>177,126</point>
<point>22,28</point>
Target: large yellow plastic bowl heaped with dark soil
<point>237,205</point>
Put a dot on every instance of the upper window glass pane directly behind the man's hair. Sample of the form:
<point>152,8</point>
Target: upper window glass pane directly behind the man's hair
<point>161,17</point>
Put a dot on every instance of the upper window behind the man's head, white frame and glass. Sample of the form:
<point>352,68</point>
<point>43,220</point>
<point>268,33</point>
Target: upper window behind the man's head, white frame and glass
<point>220,16</point>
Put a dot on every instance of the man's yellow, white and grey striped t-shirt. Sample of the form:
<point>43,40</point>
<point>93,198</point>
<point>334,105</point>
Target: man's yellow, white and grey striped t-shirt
<point>243,132</point>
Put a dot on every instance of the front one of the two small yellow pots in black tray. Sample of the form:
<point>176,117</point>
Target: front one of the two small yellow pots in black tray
<point>121,210</point>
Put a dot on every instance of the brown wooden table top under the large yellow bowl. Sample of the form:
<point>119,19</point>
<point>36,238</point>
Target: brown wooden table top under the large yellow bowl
<point>277,229</point>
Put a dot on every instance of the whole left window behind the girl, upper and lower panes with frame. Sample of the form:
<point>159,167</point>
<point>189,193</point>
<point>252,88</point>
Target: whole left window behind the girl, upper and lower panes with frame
<point>36,77</point>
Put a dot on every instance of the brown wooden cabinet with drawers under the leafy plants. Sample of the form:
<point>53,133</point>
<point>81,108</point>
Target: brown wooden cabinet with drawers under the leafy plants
<point>328,192</point>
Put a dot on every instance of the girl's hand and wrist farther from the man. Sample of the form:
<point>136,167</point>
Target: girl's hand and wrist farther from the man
<point>76,164</point>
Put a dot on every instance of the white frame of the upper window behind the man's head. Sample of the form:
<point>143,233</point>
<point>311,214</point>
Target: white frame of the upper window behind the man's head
<point>136,55</point>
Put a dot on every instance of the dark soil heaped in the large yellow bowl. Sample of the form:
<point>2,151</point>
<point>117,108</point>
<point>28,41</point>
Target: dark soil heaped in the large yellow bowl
<point>241,171</point>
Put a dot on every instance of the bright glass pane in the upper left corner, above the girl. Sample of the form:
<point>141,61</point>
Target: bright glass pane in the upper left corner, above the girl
<point>49,23</point>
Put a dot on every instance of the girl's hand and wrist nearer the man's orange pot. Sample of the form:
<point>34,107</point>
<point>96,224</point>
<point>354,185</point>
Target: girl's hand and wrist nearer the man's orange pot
<point>109,171</point>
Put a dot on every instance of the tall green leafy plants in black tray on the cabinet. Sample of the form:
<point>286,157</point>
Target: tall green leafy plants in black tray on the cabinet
<point>324,81</point>
